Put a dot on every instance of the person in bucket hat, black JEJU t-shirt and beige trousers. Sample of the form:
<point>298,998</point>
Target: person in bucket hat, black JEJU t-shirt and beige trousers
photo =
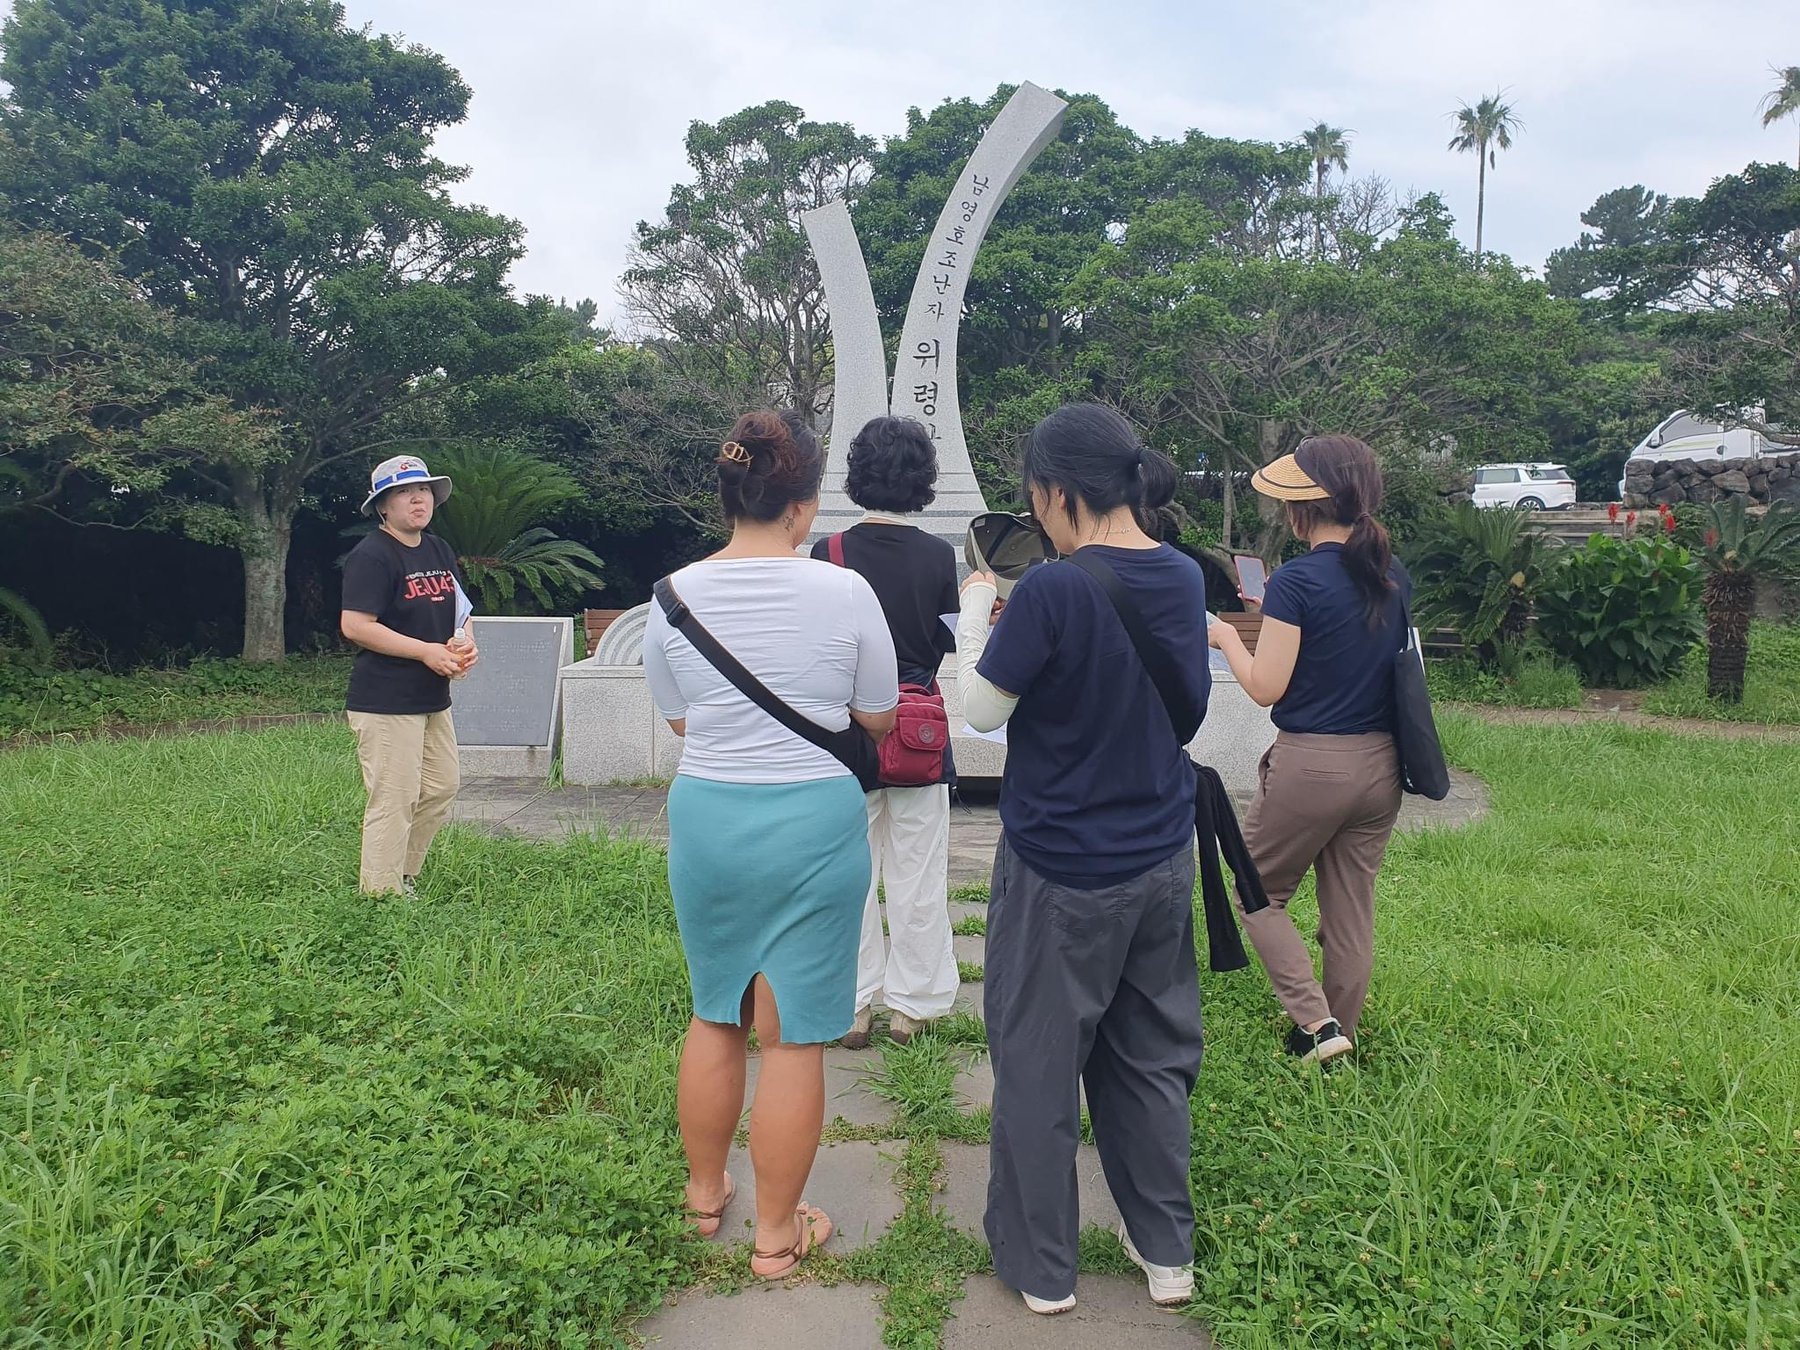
<point>400,607</point>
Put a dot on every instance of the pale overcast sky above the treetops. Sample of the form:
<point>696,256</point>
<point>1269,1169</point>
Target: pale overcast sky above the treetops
<point>580,105</point>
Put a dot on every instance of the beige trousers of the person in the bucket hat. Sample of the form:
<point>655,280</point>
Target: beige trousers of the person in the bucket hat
<point>409,768</point>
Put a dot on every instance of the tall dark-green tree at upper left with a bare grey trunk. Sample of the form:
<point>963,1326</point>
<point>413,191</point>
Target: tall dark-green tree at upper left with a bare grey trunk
<point>265,174</point>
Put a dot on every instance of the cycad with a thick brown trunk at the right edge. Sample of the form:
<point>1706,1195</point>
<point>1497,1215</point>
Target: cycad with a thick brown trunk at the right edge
<point>1736,548</point>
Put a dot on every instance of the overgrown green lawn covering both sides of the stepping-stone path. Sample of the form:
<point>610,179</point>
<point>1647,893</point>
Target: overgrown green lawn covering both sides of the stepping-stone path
<point>242,1106</point>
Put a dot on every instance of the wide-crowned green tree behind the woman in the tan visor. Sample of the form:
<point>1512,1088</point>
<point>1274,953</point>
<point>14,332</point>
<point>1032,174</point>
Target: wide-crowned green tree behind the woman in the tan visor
<point>1230,363</point>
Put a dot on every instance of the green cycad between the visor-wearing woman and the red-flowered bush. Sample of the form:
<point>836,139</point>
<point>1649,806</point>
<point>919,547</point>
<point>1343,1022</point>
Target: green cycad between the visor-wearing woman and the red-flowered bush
<point>1479,573</point>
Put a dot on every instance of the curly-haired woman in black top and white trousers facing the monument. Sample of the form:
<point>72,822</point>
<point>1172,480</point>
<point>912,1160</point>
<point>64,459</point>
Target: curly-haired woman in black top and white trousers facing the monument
<point>890,474</point>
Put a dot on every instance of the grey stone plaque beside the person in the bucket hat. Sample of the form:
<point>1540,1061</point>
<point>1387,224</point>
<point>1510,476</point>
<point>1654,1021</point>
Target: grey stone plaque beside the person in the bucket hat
<point>508,710</point>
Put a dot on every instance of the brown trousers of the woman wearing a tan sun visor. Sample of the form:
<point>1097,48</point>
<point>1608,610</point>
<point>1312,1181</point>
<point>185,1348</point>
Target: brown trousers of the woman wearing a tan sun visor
<point>1327,804</point>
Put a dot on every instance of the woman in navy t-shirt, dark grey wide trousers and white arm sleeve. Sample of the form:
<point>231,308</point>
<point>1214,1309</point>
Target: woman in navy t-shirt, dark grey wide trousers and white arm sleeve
<point>1090,964</point>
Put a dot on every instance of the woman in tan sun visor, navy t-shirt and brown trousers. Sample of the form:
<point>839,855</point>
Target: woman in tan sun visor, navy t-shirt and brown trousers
<point>1329,789</point>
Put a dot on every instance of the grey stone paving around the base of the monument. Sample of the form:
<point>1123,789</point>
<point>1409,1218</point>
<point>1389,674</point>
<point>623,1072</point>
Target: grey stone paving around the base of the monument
<point>526,807</point>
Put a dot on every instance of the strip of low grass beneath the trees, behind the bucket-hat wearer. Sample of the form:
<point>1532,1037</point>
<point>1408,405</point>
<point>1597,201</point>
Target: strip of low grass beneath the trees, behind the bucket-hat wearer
<point>93,699</point>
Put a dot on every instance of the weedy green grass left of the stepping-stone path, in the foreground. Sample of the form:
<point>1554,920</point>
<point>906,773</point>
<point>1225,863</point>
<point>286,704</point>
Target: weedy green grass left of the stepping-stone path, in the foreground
<point>242,1104</point>
